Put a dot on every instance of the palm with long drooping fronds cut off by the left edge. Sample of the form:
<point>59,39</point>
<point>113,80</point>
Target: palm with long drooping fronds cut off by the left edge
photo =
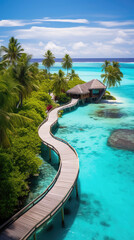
<point>8,119</point>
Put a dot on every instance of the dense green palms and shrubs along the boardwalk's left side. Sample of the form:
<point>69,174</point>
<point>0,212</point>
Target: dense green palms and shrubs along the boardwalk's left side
<point>24,100</point>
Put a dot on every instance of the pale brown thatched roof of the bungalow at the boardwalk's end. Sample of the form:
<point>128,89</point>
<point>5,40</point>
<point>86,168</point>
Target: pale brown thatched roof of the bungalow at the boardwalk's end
<point>86,87</point>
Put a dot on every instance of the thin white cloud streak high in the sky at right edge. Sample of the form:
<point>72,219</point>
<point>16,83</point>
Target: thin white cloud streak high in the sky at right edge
<point>115,23</point>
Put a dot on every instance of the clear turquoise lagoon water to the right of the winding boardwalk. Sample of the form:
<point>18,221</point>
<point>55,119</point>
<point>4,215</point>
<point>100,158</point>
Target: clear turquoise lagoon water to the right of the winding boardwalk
<point>105,208</point>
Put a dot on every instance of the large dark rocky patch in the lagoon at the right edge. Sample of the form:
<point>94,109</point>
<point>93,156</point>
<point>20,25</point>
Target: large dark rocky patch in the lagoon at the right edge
<point>122,139</point>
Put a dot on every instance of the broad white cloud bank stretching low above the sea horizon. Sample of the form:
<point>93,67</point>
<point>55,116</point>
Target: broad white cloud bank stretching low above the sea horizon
<point>78,41</point>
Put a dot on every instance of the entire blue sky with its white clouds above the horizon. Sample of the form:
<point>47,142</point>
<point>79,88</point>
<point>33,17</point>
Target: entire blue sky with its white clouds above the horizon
<point>82,28</point>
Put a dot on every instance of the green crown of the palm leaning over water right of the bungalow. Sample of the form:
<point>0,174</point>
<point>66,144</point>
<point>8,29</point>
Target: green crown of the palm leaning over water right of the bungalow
<point>112,77</point>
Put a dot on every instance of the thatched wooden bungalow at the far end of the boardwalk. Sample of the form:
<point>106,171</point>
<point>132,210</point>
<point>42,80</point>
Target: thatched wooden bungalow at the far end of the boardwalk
<point>91,91</point>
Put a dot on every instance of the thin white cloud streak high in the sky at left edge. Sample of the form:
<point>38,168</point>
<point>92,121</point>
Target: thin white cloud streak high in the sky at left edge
<point>15,23</point>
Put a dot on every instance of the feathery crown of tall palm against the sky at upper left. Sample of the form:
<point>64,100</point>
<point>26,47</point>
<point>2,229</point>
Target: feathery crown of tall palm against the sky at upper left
<point>13,51</point>
